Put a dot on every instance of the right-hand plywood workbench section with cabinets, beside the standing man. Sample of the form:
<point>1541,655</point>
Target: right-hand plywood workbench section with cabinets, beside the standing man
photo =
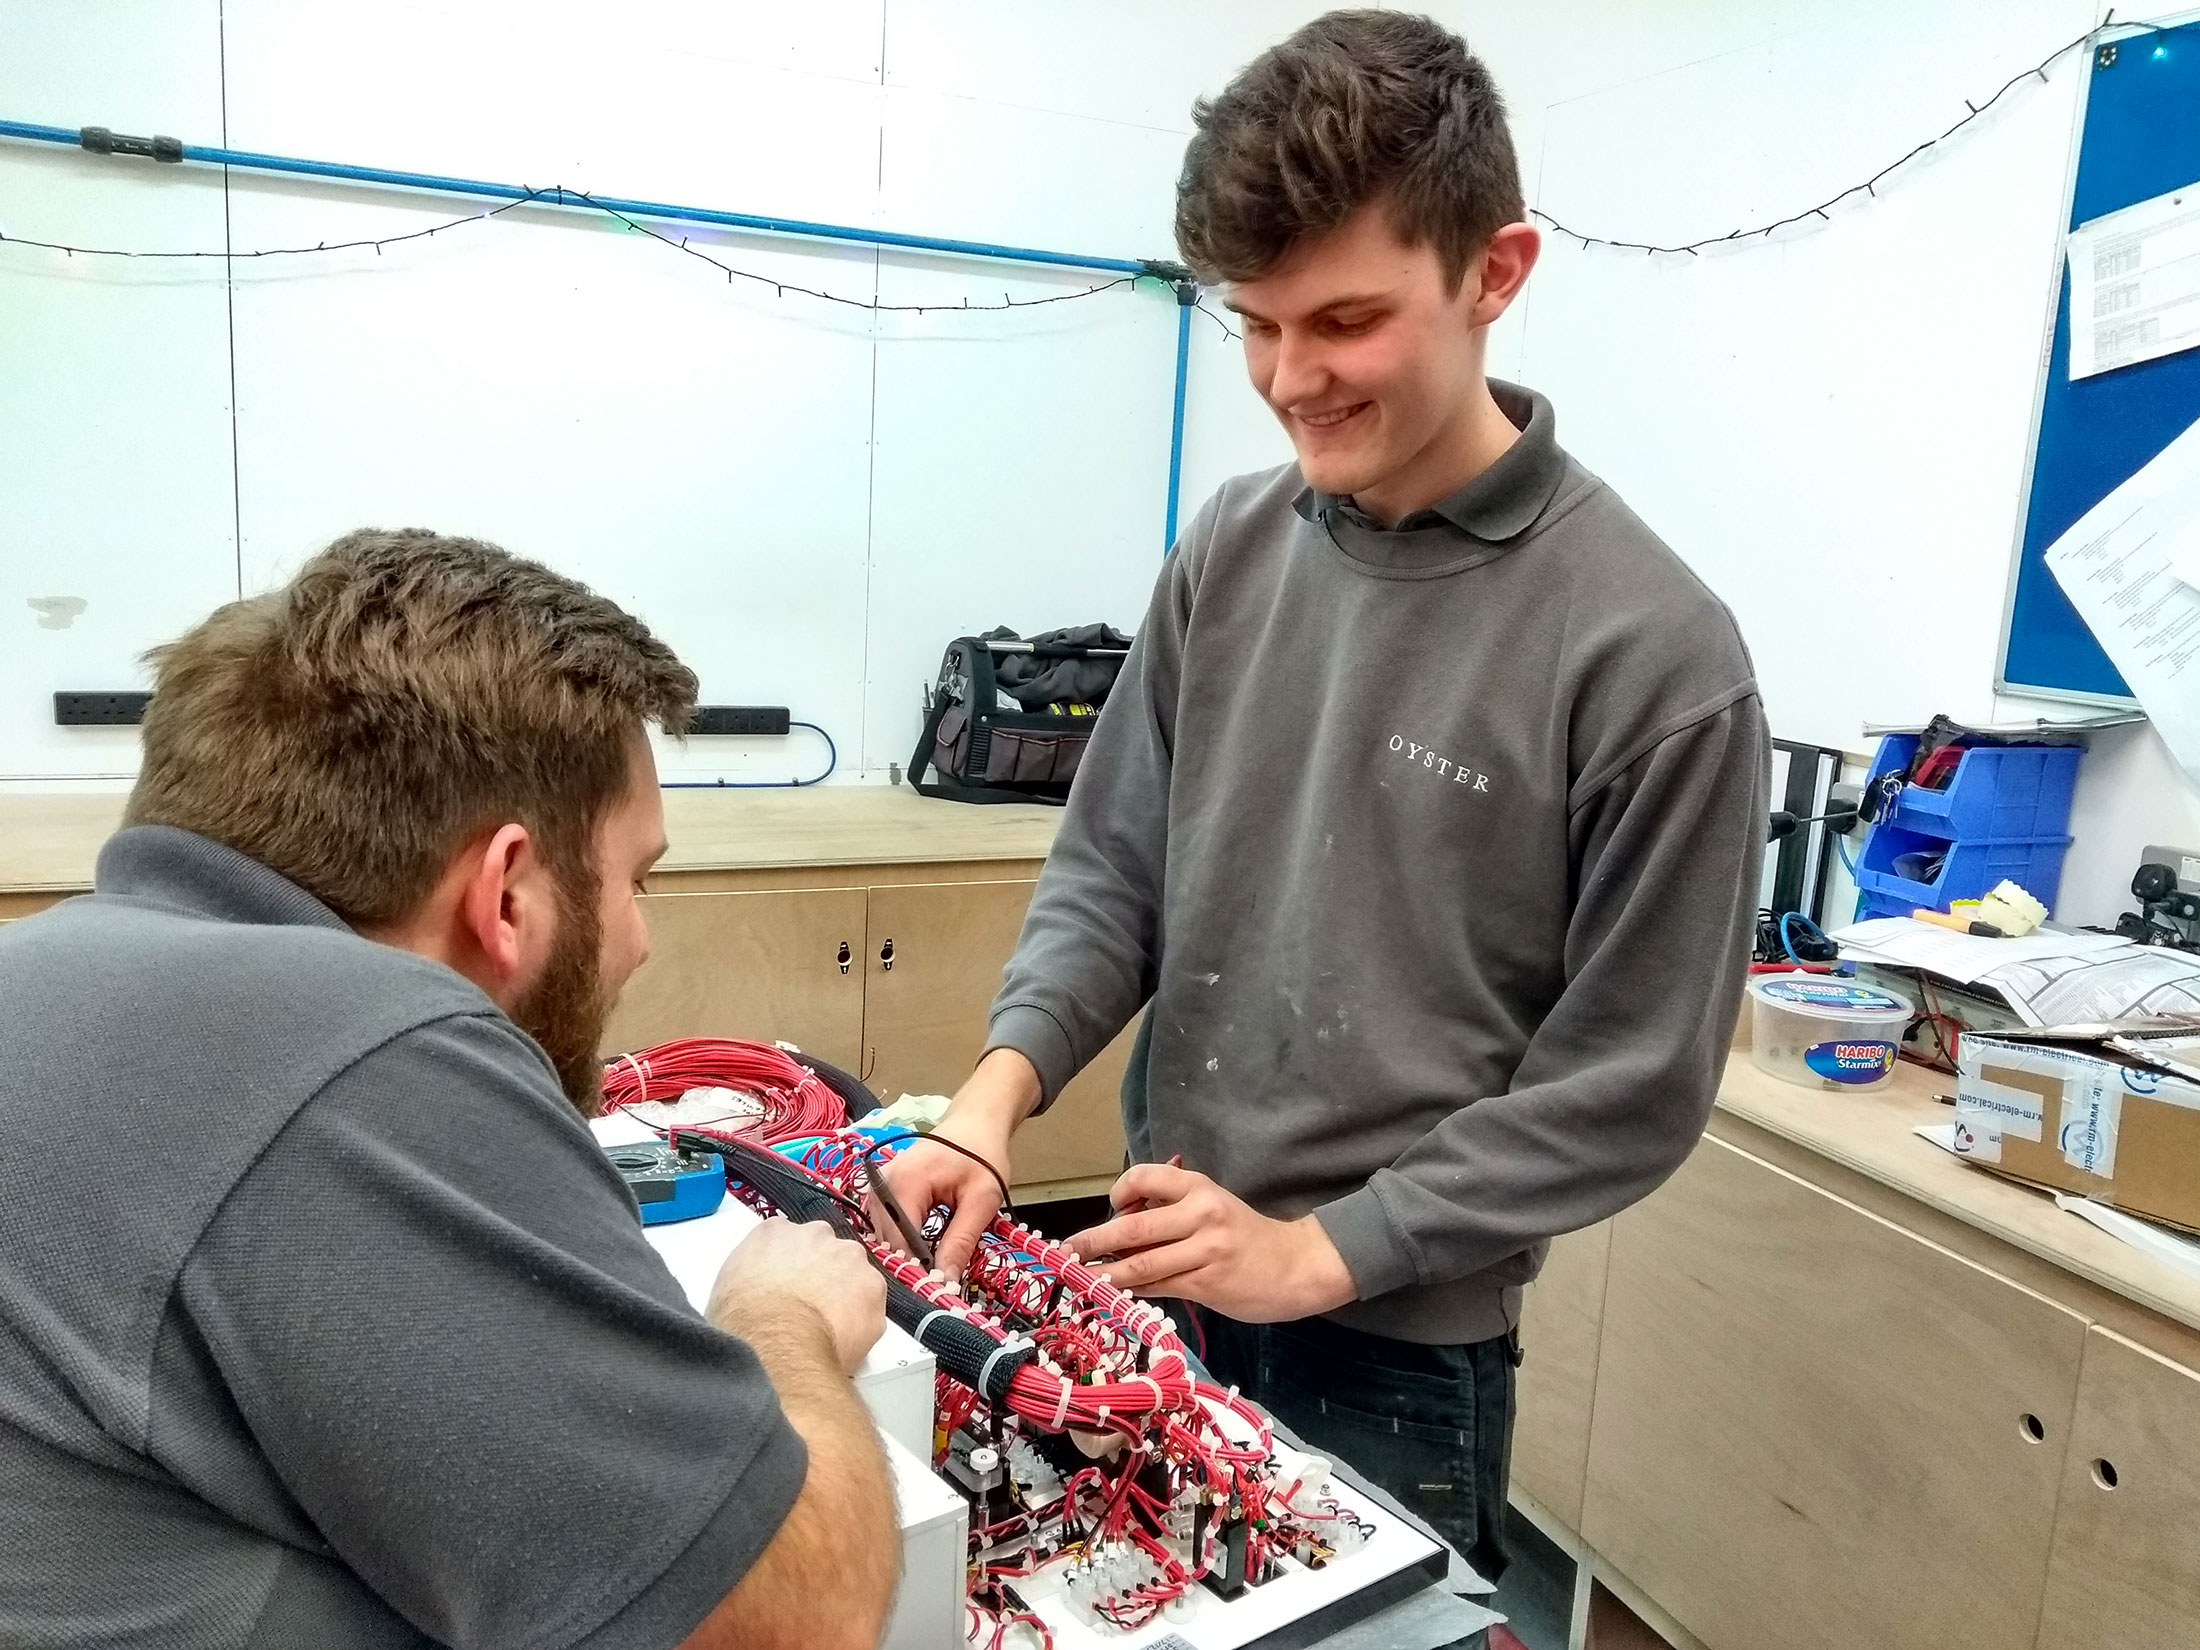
<point>1834,1387</point>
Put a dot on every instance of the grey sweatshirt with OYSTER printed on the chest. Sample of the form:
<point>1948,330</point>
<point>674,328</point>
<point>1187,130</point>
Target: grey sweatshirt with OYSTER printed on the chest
<point>1433,852</point>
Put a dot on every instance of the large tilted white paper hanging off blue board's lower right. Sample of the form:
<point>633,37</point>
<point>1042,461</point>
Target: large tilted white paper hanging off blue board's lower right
<point>2120,569</point>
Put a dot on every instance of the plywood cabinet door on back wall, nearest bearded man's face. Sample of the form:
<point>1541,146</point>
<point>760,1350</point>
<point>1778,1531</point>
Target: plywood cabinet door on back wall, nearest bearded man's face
<point>762,967</point>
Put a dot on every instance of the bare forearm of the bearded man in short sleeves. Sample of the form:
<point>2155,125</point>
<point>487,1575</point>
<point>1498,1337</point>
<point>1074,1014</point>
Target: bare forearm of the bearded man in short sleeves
<point>844,1523</point>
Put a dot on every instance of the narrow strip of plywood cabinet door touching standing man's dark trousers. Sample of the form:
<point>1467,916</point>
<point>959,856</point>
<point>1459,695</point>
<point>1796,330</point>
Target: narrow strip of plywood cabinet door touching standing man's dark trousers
<point>1561,1325</point>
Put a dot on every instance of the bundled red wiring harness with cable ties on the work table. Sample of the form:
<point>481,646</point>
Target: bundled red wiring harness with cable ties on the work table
<point>1068,1411</point>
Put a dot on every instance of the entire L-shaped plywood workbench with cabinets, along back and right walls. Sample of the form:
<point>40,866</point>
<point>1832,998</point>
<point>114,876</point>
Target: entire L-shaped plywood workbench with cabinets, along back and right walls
<point>1829,1387</point>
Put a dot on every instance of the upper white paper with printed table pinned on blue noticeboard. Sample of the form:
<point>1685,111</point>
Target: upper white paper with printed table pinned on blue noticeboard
<point>2135,285</point>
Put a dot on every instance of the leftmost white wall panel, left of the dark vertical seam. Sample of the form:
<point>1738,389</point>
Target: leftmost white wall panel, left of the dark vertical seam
<point>113,375</point>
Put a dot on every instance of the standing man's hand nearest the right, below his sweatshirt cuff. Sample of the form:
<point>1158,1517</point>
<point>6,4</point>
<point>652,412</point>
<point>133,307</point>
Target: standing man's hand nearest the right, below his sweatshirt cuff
<point>1182,1235</point>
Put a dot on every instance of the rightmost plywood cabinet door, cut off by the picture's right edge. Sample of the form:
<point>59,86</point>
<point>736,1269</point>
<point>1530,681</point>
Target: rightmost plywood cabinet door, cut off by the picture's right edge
<point>2126,1565</point>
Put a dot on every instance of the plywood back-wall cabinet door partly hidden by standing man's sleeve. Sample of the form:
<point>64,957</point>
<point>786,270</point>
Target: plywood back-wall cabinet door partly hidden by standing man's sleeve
<point>934,958</point>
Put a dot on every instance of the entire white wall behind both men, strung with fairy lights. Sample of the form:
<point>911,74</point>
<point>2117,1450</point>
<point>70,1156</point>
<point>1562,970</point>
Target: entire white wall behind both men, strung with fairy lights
<point>1829,428</point>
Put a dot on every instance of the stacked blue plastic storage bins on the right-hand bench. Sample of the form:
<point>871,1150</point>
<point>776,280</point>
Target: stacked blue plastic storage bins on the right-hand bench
<point>2003,815</point>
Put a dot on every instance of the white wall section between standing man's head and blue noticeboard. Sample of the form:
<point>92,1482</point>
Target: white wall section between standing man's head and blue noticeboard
<point>1827,426</point>
